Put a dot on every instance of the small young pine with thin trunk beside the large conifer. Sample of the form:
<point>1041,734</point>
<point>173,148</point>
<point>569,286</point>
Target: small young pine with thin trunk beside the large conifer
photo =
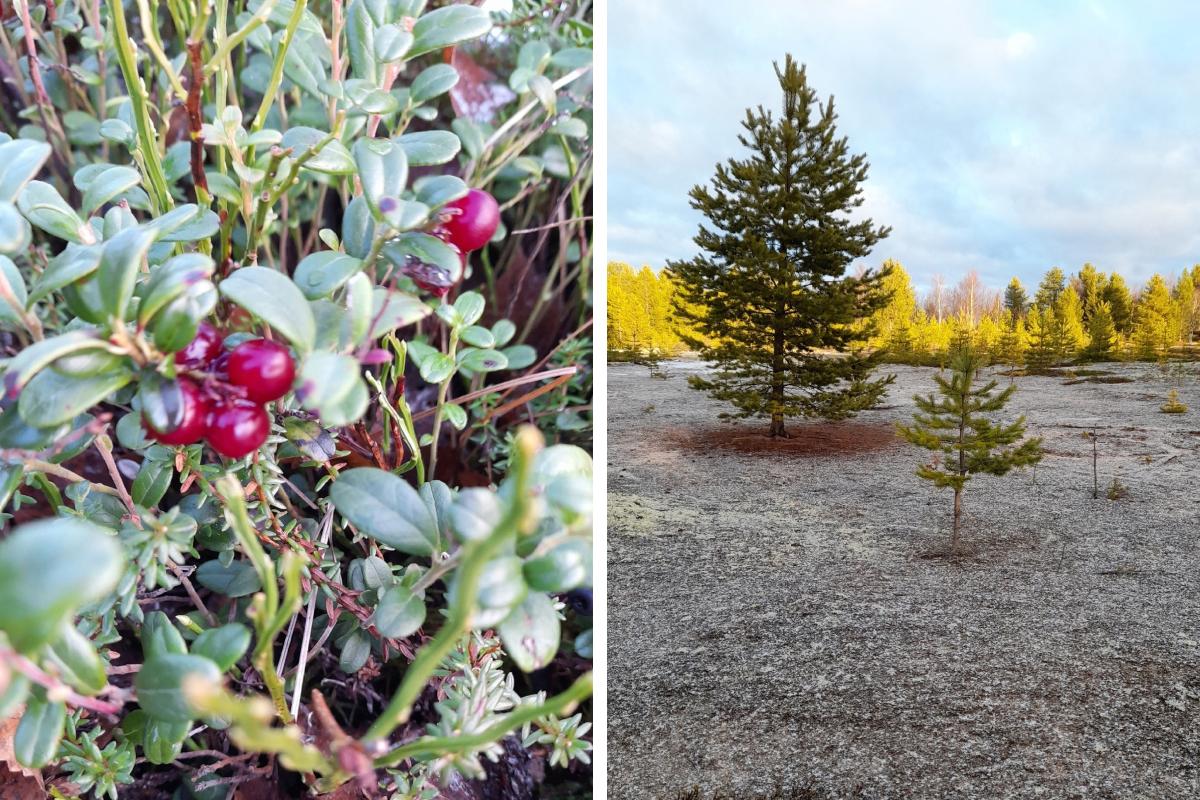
<point>957,428</point>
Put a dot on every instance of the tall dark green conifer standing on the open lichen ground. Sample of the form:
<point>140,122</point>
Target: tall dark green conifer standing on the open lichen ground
<point>770,297</point>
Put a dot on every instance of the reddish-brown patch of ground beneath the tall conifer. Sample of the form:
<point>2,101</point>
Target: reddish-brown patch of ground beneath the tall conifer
<point>805,441</point>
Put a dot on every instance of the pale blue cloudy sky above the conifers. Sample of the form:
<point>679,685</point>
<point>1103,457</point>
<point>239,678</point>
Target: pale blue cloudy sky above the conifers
<point>1006,137</point>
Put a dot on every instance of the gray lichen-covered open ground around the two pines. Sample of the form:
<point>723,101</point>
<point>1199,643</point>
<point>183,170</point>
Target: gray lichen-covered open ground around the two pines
<point>779,616</point>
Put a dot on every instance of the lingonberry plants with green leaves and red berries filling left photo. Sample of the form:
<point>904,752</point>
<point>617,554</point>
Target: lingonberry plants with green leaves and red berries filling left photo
<point>295,473</point>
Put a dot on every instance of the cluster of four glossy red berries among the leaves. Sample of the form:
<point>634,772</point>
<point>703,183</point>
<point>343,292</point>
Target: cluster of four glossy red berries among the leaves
<point>225,406</point>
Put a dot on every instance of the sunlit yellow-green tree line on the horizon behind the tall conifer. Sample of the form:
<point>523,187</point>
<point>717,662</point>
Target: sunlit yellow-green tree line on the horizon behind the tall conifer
<point>1087,316</point>
